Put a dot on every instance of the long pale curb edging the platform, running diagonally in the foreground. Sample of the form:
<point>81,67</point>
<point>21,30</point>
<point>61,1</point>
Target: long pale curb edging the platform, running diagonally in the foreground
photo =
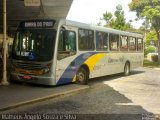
<point>70,92</point>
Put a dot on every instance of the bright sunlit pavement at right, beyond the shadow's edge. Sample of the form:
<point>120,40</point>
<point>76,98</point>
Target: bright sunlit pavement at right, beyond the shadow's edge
<point>141,87</point>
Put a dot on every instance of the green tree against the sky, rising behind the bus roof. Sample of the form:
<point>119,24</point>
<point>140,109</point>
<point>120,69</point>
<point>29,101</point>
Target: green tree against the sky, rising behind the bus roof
<point>117,23</point>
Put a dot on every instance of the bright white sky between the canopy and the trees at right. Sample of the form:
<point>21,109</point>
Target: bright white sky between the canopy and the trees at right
<point>90,11</point>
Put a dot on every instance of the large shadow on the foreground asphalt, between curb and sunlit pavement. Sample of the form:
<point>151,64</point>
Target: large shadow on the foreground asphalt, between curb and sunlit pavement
<point>96,103</point>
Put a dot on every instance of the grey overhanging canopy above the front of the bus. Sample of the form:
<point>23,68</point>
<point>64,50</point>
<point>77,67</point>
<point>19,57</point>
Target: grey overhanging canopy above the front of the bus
<point>17,11</point>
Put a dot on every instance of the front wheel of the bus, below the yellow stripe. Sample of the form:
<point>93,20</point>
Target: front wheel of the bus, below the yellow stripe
<point>82,76</point>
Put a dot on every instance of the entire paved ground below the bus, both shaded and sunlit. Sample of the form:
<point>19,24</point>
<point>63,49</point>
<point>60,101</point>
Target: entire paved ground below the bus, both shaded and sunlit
<point>133,97</point>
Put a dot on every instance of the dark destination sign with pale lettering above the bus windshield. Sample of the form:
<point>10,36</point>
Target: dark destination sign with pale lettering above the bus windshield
<point>38,24</point>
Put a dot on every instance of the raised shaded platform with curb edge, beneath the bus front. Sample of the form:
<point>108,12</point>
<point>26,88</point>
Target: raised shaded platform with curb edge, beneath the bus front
<point>17,94</point>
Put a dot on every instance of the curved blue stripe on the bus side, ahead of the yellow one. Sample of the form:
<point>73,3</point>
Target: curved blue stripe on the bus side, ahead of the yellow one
<point>71,71</point>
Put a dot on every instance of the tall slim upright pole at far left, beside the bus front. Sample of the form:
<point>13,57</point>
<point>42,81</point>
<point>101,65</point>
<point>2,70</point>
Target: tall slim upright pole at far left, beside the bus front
<point>4,80</point>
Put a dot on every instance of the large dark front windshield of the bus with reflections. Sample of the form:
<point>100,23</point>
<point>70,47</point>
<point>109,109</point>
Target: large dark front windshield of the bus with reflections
<point>34,44</point>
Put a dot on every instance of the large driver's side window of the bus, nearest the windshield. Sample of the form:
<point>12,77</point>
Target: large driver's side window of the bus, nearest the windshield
<point>67,44</point>
